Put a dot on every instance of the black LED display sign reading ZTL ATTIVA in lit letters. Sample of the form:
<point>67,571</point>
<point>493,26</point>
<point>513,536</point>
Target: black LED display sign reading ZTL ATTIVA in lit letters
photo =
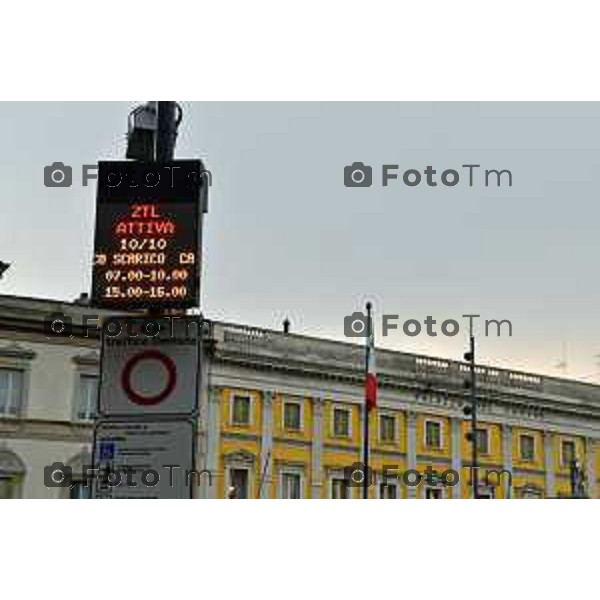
<point>148,225</point>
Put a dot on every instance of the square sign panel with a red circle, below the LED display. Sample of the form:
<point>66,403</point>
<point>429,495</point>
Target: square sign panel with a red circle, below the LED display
<point>149,366</point>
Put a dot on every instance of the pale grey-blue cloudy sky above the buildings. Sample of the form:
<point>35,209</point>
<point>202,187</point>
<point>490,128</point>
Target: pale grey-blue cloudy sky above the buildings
<point>285,237</point>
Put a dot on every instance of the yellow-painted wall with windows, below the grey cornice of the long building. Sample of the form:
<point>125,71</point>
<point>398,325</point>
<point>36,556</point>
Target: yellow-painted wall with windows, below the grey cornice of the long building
<point>289,469</point>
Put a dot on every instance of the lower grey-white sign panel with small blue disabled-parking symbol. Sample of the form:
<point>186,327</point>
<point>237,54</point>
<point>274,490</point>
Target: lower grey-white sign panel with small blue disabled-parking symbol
<point>143,459</point>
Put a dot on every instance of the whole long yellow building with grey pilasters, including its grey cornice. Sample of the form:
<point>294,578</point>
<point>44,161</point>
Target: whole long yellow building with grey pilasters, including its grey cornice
<point>293,429</point>
